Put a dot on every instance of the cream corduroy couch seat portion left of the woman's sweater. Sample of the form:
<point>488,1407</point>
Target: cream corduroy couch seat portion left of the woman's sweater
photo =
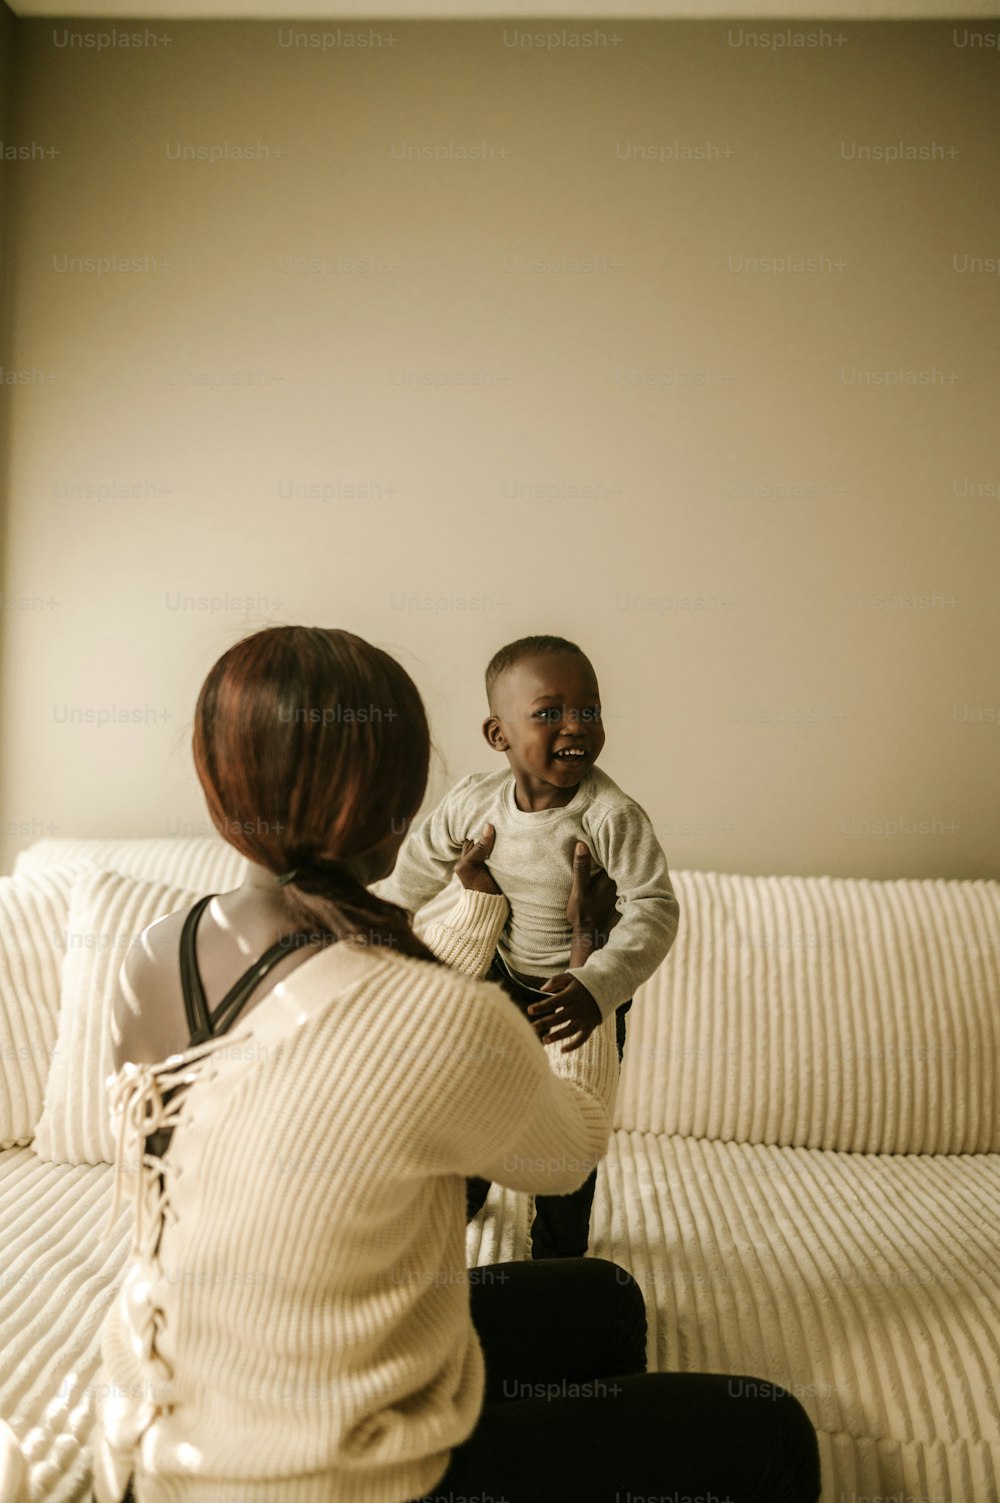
<point>56,1284</point>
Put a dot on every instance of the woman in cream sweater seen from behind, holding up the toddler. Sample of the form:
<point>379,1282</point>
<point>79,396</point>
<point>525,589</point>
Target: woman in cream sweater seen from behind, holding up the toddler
<point>297,1322</point>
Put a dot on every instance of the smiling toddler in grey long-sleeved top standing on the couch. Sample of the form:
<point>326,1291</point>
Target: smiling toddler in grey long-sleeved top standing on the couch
<point>547,719</point>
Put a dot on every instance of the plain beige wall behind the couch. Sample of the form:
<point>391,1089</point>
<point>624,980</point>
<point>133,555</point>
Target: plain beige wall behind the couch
<point>786,676</point>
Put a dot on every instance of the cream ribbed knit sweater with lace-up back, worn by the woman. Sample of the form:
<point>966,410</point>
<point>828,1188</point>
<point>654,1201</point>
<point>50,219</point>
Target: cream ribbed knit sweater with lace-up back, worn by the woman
<point>294,1322</point>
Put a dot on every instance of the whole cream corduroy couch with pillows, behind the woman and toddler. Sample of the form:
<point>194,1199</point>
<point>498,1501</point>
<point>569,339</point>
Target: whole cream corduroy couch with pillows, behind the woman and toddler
<point>804,1175</point>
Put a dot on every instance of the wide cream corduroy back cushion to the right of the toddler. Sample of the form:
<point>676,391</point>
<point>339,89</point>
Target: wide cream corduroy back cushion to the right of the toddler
<point>825,1014</point>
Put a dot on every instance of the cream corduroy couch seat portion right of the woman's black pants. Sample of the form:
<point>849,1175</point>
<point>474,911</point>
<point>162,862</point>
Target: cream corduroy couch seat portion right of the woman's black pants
<point>867,1286</point>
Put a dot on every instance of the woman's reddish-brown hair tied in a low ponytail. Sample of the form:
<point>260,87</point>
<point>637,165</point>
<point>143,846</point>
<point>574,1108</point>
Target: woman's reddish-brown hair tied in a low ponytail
<point>312,746</point>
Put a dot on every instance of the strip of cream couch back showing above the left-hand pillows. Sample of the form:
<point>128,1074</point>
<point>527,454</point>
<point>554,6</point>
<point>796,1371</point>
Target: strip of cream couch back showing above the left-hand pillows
<point>204,863</point>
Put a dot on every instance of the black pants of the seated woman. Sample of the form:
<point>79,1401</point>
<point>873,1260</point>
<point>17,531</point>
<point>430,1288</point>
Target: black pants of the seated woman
<point>572,1417</point>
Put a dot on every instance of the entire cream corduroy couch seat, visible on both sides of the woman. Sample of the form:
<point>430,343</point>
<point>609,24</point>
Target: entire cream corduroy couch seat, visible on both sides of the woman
<point>867,1286</point>
